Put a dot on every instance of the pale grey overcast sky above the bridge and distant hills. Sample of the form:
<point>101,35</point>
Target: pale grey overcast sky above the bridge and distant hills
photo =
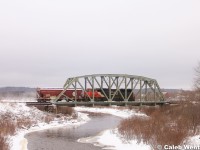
<point>43,42</point>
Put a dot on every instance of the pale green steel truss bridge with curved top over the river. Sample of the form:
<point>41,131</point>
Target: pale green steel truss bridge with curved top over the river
<point>144,90</point>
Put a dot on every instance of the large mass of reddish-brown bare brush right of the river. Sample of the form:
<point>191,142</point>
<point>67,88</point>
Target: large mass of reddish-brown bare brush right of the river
<point>166,125</point>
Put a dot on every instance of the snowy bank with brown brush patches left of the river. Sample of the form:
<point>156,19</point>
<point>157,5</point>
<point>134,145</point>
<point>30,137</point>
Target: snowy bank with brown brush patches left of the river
<point>37,120</point>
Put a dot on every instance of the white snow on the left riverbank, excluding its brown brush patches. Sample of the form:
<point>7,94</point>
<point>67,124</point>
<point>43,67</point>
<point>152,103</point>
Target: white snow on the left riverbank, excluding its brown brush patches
<point>20,111</point>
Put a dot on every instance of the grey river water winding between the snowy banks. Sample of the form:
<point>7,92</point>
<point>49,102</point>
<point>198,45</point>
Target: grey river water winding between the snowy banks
<point>65,138</point>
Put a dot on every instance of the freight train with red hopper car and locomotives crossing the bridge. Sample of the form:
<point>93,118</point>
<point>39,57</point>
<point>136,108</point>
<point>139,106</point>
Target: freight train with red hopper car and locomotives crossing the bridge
<point>47,94</point>
